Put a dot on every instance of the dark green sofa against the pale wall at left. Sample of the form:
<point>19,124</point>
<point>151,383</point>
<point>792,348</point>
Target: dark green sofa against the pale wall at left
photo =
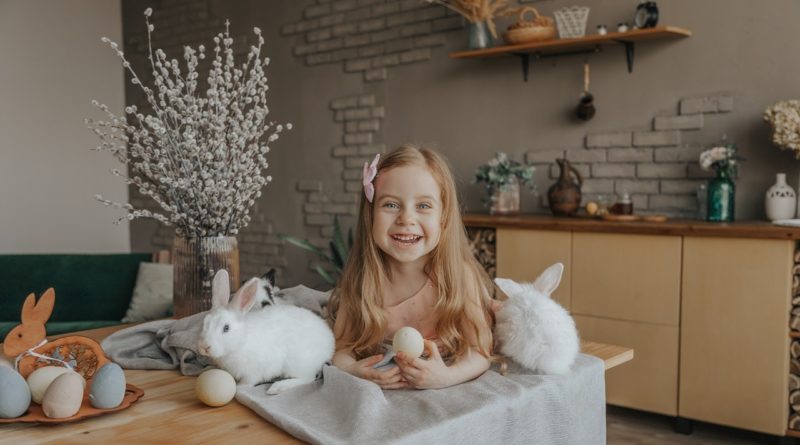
<point>92,290</point>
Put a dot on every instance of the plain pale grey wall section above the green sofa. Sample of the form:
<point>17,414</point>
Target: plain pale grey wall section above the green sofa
<point>53,65</point>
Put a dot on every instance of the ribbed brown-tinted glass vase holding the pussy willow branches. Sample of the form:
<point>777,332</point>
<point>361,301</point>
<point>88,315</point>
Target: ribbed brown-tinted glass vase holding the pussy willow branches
<point>195,261</point>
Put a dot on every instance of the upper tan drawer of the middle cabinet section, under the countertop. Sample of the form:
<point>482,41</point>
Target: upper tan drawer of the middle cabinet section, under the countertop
<point>627,277</point>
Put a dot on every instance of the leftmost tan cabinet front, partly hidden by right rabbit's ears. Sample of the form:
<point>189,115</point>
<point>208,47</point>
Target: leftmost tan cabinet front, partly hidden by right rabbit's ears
<point>524,254</point>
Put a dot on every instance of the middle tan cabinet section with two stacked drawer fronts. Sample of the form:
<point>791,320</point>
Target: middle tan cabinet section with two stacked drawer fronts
<point>627,287</point>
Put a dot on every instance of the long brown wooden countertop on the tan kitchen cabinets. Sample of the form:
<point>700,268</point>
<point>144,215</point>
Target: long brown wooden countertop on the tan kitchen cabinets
<point>680,227</point>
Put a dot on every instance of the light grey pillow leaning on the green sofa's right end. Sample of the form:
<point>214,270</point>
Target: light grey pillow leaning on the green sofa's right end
<point>152,295</point>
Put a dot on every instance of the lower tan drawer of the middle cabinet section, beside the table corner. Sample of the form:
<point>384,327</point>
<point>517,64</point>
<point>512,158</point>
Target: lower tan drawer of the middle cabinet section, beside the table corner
<point>649,382</point>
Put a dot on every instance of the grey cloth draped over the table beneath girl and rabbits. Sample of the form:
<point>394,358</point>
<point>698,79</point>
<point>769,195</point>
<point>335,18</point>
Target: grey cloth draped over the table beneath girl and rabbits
<point>517,408</point>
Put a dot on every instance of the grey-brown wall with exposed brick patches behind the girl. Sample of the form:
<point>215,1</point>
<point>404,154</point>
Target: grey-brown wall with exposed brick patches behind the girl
<point>740,56</point>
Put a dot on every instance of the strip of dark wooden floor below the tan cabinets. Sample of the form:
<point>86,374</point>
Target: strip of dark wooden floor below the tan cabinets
<point>630,427</point>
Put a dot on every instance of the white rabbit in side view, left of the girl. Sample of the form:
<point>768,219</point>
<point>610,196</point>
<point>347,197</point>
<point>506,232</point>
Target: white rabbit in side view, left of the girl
<point>258,346</point>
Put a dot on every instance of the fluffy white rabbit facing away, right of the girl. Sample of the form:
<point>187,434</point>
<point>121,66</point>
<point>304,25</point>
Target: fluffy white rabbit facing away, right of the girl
<point>534,330</point>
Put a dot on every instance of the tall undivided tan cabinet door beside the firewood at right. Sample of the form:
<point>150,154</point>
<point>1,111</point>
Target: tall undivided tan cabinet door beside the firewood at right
<point>734,332</point>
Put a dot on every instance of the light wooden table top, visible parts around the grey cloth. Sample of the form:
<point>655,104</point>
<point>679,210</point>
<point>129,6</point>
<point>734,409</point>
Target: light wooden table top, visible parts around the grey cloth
<point>170,413</point>
